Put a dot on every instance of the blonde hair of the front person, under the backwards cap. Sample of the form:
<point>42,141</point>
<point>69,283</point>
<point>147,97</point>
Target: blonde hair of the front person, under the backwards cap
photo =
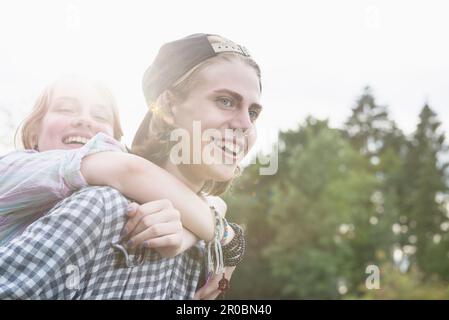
<point>157,146</point>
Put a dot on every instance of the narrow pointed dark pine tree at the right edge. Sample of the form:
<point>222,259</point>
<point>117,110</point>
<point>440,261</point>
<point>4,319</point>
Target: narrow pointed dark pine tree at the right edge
<point>425,170</point>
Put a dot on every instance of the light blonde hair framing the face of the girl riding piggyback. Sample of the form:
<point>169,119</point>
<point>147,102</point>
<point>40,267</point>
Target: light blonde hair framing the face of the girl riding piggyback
<point>26,131</point>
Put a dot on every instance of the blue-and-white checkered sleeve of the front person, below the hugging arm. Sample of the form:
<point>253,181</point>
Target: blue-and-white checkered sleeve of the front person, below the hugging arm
<point>53,257</point>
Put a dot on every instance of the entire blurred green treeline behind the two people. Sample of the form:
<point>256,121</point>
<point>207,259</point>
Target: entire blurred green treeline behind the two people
<point>344,199</point>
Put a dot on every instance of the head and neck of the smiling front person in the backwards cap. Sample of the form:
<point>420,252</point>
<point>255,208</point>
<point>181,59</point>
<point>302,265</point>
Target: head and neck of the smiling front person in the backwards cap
<point>211,82</point>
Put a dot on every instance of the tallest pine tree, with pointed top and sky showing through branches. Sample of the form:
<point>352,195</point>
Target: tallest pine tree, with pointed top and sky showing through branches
<point>377,138</point>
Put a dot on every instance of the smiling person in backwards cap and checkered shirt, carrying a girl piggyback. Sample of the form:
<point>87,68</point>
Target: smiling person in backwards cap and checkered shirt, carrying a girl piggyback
<point>74,240</point>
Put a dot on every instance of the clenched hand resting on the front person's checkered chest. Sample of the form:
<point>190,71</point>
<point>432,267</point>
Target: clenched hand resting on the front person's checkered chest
<point>155,224</point>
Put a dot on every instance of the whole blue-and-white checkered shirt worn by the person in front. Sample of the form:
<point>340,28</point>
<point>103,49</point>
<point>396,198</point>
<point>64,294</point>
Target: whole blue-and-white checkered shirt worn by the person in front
<point>69,253</point>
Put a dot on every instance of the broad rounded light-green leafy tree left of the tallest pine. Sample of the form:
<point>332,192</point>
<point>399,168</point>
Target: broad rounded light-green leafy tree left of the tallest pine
<point>319,213</point>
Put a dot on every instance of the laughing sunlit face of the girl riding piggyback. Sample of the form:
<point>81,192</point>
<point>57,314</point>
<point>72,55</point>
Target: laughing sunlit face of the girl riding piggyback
<point>76,112</point>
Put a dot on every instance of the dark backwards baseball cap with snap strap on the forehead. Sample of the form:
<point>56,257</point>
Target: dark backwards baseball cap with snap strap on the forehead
<point>178,57</point>
